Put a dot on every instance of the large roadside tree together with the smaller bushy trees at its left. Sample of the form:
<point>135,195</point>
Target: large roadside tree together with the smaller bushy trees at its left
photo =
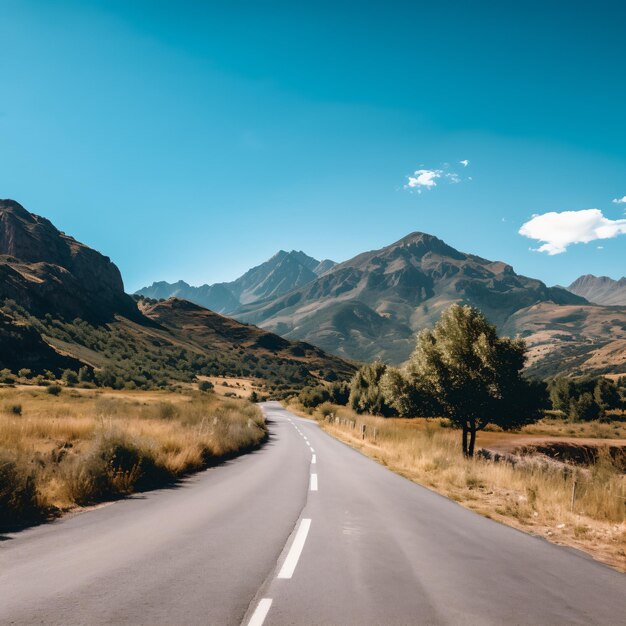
<point>461,370</point>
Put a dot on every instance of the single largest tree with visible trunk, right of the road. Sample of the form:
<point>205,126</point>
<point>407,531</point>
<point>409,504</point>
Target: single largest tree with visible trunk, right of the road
<point>475,376</point>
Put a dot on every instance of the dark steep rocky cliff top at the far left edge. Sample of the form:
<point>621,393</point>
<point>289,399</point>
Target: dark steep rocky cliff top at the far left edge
<point>50,272</point>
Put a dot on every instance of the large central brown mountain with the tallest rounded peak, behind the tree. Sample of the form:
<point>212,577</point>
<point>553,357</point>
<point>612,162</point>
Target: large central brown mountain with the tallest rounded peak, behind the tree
<point>372,305</point>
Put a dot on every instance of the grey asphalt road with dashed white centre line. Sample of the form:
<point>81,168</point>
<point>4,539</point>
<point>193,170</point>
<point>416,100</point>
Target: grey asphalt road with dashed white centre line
<point>304,531</point>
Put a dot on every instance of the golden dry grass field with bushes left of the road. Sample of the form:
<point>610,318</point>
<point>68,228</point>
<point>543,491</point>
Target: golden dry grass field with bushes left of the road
<point>84,446</point>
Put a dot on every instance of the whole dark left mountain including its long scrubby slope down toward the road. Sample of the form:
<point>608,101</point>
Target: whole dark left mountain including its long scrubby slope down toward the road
<point>62,305</point>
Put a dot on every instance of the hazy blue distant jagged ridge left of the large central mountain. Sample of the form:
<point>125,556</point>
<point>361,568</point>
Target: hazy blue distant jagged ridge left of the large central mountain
<point>282,273</point>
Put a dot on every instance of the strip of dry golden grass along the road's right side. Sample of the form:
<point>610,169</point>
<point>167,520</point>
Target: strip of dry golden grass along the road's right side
<point>529,496</point>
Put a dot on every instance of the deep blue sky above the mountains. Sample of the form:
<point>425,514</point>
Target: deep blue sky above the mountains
<point>194,139</point>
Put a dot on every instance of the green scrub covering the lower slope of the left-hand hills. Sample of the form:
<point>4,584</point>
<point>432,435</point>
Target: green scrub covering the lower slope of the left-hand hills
<point>123,355</point>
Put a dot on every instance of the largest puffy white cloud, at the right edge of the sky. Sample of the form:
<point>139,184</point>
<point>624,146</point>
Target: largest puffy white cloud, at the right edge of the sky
<point>560,230</point>
